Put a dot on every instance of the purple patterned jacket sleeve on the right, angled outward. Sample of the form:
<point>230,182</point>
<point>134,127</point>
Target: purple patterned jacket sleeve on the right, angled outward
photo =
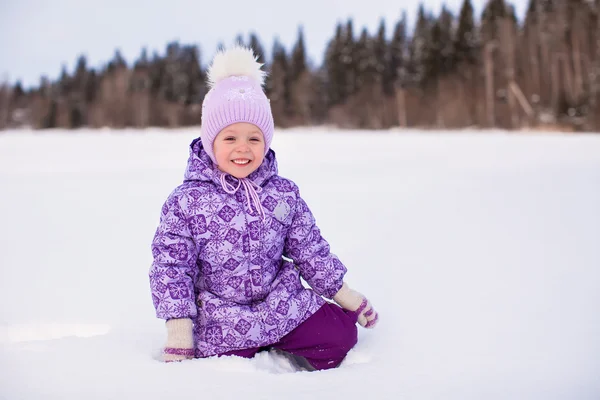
<point>321,269</point>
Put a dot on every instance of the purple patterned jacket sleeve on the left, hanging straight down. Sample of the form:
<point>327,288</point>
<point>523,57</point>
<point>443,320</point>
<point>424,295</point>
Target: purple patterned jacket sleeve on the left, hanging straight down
<point>173,271</point>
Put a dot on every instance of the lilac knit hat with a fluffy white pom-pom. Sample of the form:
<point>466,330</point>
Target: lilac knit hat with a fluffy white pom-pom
<point>236,95</point>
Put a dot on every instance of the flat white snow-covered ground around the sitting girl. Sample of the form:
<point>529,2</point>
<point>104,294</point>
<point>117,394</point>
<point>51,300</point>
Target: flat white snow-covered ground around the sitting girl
<point>481,251</point>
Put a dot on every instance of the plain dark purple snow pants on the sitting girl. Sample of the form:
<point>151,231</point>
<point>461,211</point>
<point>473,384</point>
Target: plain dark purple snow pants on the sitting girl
<point>323,339</point>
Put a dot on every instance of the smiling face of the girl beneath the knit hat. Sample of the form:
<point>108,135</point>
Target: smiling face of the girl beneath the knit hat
<point>239,149</point>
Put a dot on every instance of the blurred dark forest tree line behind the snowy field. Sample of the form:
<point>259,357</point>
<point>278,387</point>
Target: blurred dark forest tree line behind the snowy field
<point>450,71</point>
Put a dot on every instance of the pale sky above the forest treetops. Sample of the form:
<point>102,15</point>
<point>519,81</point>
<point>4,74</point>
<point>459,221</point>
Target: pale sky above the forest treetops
<point>38,37</point>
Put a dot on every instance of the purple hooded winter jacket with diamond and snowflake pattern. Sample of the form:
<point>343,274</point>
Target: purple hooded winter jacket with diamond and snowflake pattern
<point>218,261</point>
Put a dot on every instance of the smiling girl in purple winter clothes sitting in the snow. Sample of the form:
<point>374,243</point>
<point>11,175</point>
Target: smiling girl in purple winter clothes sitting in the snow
<point>219,277</point>
